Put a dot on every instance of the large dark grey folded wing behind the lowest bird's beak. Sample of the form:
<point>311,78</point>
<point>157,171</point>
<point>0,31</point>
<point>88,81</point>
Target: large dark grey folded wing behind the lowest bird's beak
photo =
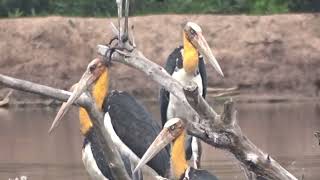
<point>135,127</point>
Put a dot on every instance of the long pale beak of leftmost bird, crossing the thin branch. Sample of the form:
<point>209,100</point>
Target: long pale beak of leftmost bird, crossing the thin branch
<point>86,79</point>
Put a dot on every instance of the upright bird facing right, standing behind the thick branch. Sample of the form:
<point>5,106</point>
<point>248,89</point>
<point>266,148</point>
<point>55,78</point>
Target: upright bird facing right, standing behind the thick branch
<point>186,64</point>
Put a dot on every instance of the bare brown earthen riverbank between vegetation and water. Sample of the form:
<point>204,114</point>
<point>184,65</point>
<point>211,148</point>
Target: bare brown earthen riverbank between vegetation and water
<point>266,57</point>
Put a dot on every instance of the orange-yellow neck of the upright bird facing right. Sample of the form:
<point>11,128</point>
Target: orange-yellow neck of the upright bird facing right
<point>190,56</point>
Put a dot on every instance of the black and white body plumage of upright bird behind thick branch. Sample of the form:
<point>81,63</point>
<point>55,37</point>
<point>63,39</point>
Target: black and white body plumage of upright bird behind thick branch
<point>174,67</point>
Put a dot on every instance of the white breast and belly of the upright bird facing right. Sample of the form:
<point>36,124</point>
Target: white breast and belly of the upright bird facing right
<point>174,107</point>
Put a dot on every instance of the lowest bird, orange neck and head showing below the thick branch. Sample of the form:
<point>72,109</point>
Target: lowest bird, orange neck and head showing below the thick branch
<point>174,131</point>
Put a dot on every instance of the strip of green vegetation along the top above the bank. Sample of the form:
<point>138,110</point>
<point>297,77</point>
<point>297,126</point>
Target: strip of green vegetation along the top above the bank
<point>17,8</point>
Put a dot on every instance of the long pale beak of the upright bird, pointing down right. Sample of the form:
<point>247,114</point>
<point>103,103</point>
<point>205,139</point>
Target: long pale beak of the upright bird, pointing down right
<point>201,44</point>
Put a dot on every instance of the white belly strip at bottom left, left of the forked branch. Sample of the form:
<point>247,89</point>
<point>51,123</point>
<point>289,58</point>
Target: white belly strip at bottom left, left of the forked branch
<point>90,163</point>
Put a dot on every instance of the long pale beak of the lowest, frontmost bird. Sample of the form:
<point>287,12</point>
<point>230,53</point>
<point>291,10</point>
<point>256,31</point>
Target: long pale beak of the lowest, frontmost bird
<point>162,140</point>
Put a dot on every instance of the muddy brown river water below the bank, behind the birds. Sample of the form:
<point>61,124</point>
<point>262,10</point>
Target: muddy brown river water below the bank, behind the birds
<point>284,130</point>
